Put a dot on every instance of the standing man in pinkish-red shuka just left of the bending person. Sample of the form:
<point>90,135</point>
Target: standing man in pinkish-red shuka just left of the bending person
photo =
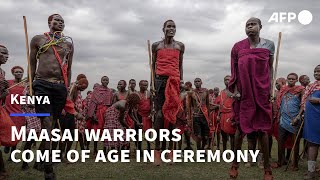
<point>101,100</point>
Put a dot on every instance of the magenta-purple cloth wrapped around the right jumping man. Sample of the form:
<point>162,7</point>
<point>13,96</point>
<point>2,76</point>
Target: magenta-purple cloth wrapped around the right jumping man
<point>250,72</point>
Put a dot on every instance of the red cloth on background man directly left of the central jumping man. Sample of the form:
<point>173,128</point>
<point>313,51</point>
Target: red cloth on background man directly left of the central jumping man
<point>144,110</point>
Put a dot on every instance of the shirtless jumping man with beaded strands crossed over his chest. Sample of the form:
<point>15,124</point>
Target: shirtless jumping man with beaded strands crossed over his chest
<point>53,53</point>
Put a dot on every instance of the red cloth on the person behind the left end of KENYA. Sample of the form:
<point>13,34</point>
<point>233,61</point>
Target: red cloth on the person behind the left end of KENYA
<point>15,108</point>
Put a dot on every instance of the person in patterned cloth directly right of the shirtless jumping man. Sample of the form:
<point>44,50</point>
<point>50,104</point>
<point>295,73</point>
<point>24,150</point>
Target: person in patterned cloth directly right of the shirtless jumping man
<point>80,120</point>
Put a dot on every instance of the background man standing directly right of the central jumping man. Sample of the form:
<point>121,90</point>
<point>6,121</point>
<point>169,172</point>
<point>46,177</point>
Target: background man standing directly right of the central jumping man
<point>183,121</point>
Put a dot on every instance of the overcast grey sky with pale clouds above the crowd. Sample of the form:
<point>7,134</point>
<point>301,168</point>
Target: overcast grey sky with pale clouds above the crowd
<point>110,36</point>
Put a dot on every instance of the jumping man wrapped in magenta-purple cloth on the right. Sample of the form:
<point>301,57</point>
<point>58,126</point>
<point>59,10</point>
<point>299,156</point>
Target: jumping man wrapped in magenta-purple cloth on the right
<point>252,71</point>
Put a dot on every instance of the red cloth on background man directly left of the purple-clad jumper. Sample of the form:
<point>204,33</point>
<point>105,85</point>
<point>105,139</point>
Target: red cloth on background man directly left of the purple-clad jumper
<point>226,113</point>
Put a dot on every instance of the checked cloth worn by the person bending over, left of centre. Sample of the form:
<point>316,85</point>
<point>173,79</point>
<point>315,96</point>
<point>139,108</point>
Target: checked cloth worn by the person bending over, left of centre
<point>112,122</point>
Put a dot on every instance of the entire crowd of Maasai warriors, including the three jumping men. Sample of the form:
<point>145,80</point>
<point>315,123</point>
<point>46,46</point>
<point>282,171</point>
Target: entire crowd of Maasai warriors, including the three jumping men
<point>244,107</point>
